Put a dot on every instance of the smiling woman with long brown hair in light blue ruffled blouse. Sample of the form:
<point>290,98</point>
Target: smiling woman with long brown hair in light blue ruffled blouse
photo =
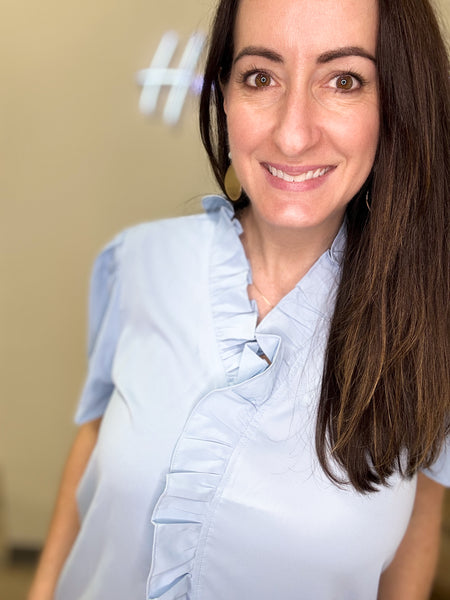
<point>264,386</point>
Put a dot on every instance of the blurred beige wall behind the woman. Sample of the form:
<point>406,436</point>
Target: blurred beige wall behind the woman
<point>79,162</point>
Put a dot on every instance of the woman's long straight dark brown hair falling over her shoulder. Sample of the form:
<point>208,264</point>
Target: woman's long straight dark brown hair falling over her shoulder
<point>385,399</point>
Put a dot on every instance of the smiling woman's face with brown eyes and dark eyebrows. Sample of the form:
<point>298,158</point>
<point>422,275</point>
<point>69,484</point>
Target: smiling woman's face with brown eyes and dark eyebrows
<point>302,107</point>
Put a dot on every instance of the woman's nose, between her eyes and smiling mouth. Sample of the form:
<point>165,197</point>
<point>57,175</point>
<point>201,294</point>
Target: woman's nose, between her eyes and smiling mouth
<point>297,126</point>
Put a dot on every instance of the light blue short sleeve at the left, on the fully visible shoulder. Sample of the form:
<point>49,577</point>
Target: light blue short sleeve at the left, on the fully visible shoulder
<point>103,333</point>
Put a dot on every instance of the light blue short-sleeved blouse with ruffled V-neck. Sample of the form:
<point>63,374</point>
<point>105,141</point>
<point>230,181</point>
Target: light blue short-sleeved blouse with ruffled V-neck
<point>204,483</point>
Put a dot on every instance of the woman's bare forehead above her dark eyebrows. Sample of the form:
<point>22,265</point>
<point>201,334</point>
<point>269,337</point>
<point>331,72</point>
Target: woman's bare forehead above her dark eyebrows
<point>307,27</point>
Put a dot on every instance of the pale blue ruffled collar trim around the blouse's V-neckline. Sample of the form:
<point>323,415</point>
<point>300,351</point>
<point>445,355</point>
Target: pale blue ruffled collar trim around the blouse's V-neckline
<point>235,316</point>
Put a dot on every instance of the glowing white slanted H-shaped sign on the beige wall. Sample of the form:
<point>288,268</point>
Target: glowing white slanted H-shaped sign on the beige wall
<point>180,80</point>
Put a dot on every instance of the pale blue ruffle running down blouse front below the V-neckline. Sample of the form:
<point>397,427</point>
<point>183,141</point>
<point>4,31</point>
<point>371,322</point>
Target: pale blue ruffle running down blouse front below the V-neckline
<point>200,460</point>
